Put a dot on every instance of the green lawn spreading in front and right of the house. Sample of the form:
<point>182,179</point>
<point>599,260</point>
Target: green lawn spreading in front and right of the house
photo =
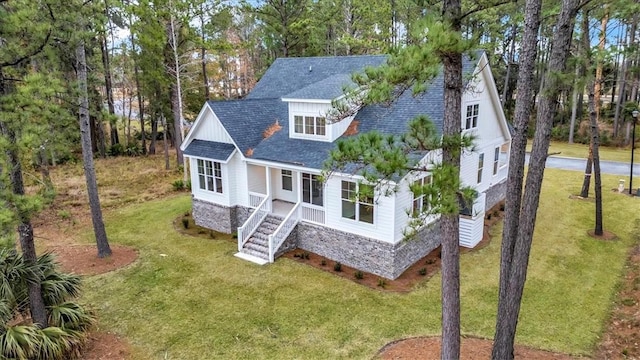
<point>190,298</point>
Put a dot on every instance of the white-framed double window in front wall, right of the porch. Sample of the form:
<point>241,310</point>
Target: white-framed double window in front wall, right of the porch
<point>357,202</point>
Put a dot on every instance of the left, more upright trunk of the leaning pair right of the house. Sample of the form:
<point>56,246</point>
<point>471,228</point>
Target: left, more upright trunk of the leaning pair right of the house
<point>505,335</point>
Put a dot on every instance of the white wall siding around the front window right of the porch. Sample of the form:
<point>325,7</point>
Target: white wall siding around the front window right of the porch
<point>384,211</point>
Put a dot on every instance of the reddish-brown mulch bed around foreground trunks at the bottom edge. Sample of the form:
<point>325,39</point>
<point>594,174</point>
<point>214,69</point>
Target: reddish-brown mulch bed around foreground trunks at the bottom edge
<point>428,348</point>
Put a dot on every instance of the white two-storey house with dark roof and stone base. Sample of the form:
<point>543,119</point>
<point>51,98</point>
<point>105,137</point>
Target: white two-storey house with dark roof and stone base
<point>255,166</point>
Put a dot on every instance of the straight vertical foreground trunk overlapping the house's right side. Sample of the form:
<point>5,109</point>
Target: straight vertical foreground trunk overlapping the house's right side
<point>449,223</point>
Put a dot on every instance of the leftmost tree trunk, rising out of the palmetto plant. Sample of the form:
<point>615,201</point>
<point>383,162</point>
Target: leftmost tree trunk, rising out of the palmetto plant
<point>25,230</point>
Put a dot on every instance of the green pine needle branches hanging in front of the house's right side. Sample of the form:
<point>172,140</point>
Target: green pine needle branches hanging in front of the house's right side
<point>383,160</point>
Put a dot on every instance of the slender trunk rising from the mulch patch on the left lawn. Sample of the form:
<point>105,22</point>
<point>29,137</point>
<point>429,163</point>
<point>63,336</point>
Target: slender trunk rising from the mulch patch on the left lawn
<point>87,157</point>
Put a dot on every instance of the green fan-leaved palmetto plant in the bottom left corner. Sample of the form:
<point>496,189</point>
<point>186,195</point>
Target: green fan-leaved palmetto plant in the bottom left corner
<point>68,321</point>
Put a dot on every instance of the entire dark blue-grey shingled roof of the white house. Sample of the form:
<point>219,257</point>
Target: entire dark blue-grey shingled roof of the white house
<point>246,120</point>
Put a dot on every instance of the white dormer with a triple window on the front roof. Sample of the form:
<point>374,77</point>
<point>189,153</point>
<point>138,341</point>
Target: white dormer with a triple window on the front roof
<point>309,106</point>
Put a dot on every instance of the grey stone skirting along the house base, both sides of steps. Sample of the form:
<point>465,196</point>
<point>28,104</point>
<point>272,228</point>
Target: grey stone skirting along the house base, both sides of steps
<point>374,256</point>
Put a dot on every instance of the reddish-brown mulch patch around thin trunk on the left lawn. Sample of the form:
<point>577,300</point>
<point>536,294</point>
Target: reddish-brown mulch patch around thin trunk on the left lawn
<point>84,260</point>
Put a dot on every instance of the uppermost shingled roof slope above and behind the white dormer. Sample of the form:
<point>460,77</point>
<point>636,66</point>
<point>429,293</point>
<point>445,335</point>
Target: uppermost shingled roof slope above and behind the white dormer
<point>287,75</point>
